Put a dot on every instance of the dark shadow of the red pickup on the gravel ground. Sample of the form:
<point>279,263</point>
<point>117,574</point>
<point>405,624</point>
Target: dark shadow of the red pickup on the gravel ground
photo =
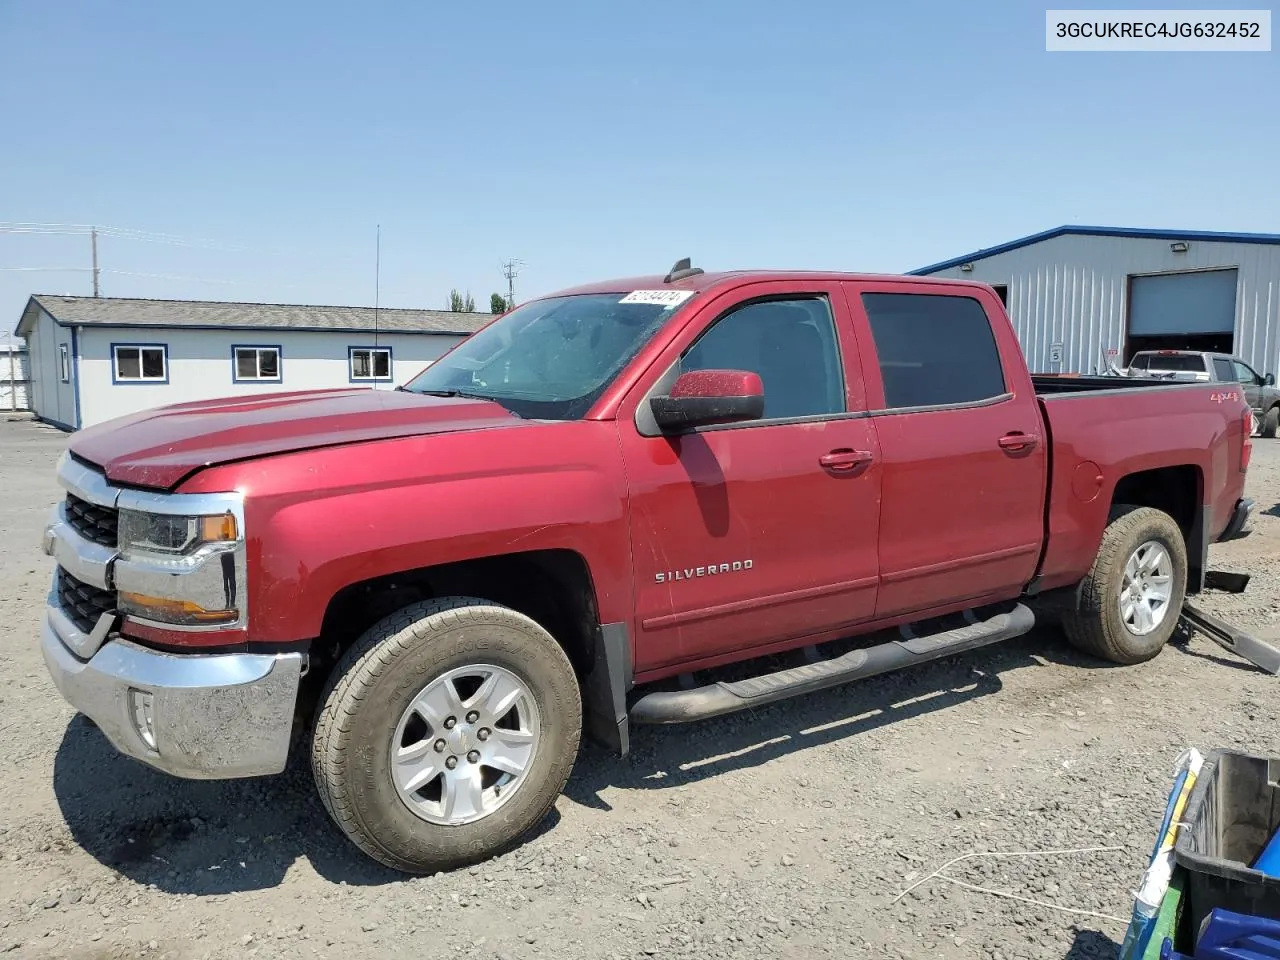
<point>226,836</point>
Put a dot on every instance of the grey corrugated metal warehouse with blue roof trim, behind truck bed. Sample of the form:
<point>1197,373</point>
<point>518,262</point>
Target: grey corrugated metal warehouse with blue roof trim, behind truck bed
<point>1085,298</point>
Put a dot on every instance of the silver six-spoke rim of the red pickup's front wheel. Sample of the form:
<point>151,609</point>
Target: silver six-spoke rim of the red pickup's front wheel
<point>465,744</point>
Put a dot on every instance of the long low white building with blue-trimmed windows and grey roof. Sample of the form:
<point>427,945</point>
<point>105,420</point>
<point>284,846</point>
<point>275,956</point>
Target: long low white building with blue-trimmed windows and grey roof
<point>94,359</point>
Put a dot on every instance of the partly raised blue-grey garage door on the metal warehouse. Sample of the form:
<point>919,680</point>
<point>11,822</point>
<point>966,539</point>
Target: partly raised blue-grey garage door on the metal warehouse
<point>1180,304</point>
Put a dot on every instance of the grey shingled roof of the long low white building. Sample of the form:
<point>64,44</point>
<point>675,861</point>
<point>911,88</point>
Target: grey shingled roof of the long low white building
<point>195,314</point>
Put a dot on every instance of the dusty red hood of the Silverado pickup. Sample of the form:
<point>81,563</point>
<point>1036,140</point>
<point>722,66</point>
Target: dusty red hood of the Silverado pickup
<point>158,449</point>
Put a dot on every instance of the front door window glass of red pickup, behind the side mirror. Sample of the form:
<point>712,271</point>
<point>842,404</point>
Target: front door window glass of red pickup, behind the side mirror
<point>790,344</point>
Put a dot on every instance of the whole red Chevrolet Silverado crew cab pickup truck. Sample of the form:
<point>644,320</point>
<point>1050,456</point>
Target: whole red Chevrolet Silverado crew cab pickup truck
<point>574,518</point>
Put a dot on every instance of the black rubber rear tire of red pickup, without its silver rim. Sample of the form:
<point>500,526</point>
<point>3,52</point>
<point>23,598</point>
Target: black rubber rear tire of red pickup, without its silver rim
<point>1096,625</point>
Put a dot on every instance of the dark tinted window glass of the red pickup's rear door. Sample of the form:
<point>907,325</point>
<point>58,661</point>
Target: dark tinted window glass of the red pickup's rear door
<point>934,350</point>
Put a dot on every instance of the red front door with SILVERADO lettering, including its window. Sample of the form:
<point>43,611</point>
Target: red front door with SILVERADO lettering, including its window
<point>761,533</point>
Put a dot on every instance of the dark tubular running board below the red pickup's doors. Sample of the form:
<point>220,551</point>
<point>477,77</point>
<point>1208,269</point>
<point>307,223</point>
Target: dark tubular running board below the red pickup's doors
<point>721,698</point>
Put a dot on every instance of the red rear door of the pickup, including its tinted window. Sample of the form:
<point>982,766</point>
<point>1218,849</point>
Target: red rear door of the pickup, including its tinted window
<point>961,435</point>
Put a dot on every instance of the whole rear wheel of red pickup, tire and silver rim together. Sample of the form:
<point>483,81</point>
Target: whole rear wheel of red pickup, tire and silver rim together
<point>1130,604</point>
